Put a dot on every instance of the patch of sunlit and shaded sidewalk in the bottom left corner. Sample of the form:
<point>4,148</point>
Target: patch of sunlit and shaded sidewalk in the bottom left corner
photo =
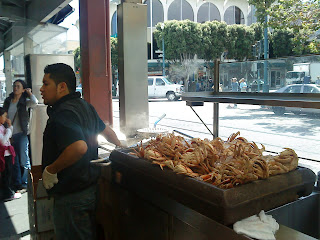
<point>14,219</point>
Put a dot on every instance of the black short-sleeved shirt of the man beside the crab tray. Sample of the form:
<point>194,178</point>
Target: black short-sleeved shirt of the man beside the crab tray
<point>72,119</point>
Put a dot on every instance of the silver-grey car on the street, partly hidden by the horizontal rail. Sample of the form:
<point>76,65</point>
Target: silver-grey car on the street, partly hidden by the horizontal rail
<point>297,88</point>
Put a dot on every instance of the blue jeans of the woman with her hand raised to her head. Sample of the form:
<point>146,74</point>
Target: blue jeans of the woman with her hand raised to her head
<point>22,160</point>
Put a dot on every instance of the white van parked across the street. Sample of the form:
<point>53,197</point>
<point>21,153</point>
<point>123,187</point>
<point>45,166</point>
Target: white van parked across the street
<point>160,87</point>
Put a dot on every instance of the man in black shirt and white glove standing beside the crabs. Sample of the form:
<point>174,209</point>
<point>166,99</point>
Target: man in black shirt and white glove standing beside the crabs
<point>69,144</point>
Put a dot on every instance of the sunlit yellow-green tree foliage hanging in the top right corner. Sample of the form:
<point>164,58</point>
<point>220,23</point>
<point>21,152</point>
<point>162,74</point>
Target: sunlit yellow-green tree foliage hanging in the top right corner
<point>299,16</point>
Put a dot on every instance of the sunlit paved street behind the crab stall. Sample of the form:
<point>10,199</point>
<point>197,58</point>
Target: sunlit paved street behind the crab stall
<point>261,125</point>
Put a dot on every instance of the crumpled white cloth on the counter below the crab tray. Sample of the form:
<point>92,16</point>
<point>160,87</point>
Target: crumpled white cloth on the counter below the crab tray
<point>259,226</point>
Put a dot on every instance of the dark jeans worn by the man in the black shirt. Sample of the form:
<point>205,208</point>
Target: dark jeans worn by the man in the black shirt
<point>74,215</point>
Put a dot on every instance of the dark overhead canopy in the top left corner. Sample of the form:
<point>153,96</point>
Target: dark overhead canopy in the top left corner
<point>20,17</point>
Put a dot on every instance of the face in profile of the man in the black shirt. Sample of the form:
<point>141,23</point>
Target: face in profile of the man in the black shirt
<point>49,90</point>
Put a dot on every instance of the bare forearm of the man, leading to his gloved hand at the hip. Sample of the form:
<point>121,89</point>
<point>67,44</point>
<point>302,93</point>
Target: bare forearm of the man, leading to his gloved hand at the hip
<point>68,157</point>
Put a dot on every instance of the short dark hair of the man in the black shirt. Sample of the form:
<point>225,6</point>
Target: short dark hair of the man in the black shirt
<point>60,72</point>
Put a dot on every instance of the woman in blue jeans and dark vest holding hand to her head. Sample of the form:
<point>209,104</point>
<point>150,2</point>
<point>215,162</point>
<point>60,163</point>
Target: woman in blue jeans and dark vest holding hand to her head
<point>17,106</point>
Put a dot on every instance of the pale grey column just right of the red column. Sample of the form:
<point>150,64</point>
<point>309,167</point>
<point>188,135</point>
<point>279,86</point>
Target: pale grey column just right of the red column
<point>133,67</point>
